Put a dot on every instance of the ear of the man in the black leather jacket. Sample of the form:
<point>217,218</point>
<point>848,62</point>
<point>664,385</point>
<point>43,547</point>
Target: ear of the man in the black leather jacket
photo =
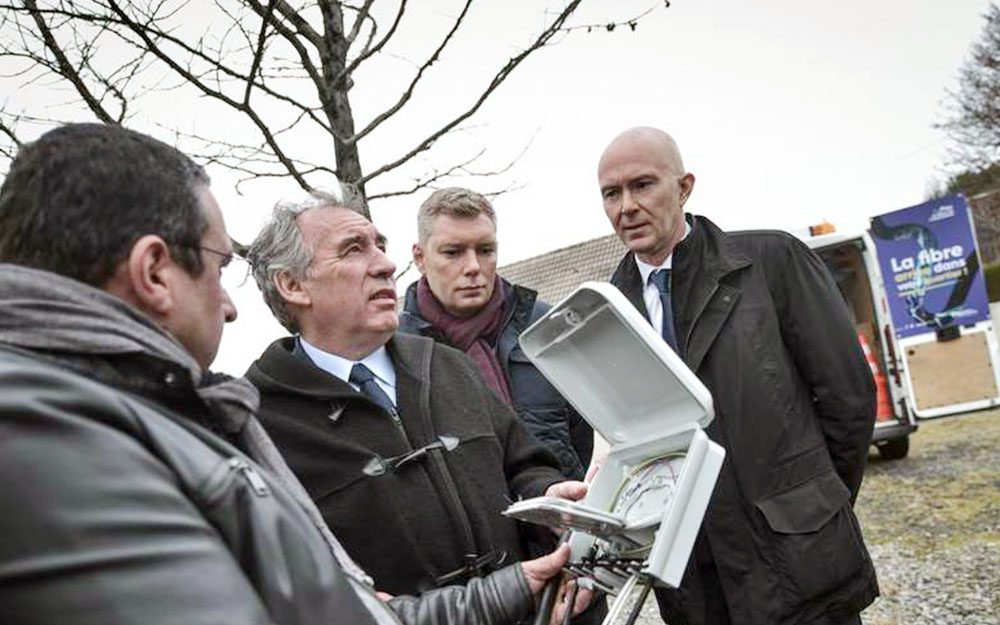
<point>147,278</point>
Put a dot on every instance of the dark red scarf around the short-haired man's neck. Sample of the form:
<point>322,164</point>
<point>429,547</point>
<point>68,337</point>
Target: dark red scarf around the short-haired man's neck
<point>475,335</point>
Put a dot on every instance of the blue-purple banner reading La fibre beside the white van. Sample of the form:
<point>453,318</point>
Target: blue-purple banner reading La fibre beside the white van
<point>928,258</point>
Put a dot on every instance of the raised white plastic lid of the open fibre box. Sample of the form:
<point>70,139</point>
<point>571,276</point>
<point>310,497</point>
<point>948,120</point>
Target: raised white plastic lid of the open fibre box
<point>609,362</point>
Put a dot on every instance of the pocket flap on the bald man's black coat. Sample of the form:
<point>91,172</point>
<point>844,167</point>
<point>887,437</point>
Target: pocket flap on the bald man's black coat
<point>806,507</point>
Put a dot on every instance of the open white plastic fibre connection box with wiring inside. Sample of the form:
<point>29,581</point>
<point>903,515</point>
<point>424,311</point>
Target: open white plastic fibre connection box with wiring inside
<point>646,503</point>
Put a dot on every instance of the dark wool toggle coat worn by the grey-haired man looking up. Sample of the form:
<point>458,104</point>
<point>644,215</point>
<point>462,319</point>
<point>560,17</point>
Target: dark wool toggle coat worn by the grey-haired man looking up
<point>412,519</point>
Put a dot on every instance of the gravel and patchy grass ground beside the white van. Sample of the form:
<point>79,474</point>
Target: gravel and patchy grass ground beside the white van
<point>932,524</point>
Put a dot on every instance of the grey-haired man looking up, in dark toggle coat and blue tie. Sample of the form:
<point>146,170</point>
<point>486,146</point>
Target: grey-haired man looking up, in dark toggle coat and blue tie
<point>407,452</point>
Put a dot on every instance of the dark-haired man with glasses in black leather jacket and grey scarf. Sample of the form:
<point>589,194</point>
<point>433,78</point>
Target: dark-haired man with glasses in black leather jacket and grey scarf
<point>136,487</point>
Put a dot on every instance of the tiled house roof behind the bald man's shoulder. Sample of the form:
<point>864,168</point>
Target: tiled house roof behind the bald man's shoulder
<point>555,274</point>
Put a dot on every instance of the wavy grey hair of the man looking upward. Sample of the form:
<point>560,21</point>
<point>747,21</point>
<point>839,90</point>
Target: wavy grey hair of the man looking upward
<point>279,247</point>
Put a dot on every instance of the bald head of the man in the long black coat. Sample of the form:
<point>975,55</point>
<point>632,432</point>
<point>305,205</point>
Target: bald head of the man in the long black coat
<point>644,188</point>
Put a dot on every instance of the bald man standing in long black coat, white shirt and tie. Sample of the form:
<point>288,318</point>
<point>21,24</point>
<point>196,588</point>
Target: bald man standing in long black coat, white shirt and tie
<point>757,316</point>
